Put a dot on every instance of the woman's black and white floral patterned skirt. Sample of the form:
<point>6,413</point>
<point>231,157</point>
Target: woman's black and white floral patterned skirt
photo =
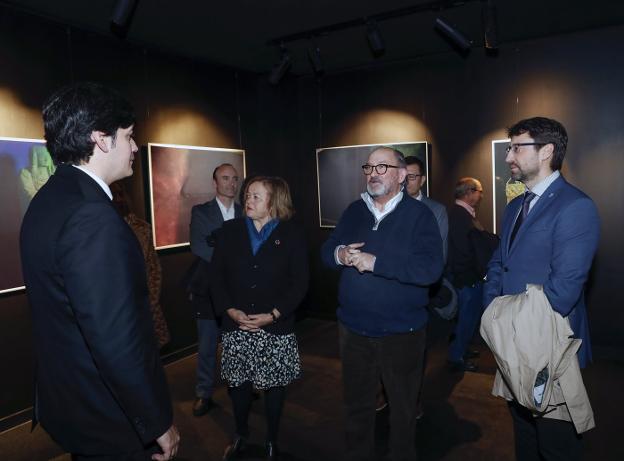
<point>265,359</point>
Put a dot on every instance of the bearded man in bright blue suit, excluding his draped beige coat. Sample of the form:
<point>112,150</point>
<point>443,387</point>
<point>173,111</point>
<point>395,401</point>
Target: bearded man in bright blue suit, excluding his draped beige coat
<point>549,237</point>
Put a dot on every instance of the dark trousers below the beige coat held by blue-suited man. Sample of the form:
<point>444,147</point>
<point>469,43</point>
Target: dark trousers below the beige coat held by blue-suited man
<point>544,439</point>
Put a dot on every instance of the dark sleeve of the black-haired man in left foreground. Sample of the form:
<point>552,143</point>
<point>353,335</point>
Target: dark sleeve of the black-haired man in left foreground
<point>104,276</point>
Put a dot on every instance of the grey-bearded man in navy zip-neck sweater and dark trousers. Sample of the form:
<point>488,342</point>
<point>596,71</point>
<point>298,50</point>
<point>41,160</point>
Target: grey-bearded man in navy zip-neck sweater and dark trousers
<point>388,249</point>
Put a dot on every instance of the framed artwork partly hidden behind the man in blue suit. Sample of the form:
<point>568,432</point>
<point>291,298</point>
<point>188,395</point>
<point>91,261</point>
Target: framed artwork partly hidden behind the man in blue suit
<point>505,189</point>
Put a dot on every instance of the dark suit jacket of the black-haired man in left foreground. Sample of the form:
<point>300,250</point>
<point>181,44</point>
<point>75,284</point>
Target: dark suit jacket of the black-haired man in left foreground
<point>99,383</point>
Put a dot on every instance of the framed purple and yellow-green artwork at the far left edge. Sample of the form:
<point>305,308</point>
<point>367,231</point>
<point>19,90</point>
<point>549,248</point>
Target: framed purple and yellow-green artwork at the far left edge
<point>25,166</point>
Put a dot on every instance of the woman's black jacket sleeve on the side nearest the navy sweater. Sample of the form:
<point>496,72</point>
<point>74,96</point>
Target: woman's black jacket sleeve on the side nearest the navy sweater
<point>298,275</point>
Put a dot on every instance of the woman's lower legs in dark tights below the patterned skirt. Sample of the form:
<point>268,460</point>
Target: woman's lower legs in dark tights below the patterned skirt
<point>241,397</point>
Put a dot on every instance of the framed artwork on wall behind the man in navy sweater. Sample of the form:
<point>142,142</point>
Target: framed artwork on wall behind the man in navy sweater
<point>340,178</point>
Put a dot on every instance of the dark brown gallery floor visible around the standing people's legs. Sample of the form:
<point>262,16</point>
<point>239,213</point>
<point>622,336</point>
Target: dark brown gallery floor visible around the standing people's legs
<point>462,420</point>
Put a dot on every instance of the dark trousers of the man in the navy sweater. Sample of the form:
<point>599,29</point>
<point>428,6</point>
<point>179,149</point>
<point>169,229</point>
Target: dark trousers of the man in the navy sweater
<point>397,360</point>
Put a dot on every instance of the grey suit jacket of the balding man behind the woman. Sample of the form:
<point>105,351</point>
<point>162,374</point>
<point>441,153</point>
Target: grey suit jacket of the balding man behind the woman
<point>206,220</point>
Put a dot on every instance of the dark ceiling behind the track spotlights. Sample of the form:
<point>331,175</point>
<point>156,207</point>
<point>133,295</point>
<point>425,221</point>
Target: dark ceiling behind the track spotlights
<point>235,32</point>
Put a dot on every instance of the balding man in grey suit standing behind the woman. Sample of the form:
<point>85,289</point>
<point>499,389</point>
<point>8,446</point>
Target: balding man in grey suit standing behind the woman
<point>206,220</point>
